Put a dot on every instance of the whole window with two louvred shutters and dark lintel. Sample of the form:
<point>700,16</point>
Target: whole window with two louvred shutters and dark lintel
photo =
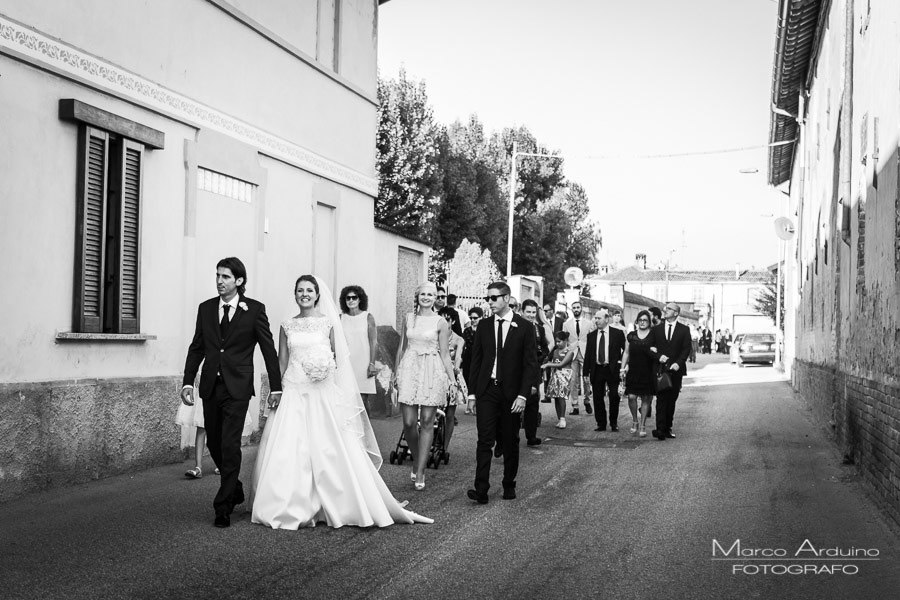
<point>108,222</point>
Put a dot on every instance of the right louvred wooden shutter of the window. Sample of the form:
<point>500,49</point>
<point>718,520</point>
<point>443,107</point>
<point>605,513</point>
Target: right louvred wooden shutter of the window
<point>126,314</point>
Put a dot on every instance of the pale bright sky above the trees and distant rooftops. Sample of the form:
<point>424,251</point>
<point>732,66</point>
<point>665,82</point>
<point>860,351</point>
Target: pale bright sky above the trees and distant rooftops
<point>607,84</point>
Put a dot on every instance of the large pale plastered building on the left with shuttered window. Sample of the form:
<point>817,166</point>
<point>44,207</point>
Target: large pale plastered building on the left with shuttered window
<point>142,142</point>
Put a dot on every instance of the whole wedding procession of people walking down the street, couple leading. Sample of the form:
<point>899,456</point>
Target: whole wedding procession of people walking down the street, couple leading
<point>318,459</point>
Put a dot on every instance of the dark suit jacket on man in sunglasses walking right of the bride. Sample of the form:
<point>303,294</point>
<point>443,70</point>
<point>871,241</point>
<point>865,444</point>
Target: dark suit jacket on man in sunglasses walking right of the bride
<point>518,370</point>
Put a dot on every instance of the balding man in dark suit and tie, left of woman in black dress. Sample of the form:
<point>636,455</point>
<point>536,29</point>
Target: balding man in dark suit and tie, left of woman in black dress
<point>602,362</point>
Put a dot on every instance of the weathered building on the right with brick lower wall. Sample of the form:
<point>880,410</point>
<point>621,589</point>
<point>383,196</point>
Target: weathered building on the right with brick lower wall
<point>836,113</point>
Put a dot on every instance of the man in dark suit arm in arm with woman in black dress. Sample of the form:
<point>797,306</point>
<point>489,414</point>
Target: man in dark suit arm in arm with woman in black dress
<point>672,341</point>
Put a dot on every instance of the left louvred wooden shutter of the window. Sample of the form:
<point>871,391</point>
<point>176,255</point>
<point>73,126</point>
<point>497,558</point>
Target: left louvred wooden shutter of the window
<point>93,156</point>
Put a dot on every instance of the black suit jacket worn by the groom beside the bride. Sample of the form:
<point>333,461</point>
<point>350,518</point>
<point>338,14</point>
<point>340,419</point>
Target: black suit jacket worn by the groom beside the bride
<point>231,355</point>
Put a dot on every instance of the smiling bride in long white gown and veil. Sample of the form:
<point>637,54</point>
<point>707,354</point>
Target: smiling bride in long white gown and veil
<point>318,458</point>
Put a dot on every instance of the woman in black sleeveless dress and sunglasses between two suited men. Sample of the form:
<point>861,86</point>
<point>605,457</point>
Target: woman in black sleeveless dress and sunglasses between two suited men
<point>638,365</point>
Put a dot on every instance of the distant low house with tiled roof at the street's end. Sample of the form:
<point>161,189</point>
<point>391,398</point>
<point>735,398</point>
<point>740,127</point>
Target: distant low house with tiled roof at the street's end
<point>723,299</point>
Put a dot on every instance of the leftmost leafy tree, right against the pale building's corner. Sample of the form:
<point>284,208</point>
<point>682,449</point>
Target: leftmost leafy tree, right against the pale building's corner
<point>408,182</point>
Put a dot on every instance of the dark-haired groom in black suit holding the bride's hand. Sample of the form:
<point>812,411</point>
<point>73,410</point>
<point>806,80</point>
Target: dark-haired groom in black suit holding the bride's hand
<point>228,329</point>
